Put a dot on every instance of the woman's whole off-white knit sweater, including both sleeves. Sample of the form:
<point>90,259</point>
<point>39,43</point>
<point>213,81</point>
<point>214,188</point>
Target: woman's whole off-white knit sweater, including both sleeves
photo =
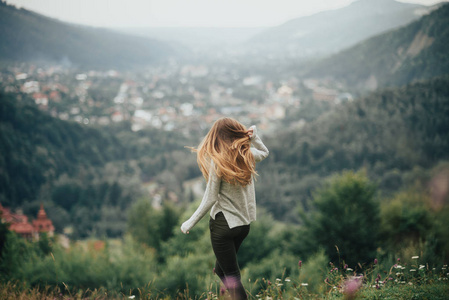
<point>237,203</point>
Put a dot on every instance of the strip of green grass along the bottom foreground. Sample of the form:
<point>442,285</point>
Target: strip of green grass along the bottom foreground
<point>280,289</point>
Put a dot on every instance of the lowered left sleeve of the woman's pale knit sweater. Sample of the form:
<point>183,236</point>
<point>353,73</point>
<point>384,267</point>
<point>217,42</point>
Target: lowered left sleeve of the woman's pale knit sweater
<point>209,199</point>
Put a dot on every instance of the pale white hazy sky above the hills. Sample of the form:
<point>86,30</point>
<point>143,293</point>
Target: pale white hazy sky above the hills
<point>192,13</point>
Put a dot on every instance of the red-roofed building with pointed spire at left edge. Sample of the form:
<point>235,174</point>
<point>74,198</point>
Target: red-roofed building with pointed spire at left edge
<point>19,223</point>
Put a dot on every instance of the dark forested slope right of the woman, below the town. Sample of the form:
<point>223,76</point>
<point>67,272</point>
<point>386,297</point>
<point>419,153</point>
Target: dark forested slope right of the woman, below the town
<point>395,134</point>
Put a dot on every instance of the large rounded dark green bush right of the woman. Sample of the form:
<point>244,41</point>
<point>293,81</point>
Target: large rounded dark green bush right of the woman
<point>345,219</point>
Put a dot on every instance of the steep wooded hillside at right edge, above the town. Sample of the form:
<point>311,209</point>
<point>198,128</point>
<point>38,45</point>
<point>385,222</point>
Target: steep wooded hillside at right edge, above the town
<point>416,51</point>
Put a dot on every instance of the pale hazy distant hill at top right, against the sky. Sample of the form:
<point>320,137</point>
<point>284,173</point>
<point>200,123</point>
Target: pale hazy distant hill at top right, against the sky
<point>330,31</point>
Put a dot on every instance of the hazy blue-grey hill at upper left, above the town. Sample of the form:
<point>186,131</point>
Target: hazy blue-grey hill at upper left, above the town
<point>28,36</point>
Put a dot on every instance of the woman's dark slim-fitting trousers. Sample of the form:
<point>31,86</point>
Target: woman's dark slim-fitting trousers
<point>226,243</point>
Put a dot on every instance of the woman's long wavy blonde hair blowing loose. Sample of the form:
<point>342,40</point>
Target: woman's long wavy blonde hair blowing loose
<point>227,144</point>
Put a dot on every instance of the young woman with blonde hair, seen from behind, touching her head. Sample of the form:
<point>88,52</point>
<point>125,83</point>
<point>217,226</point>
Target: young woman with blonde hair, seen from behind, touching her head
<point>227,158</point>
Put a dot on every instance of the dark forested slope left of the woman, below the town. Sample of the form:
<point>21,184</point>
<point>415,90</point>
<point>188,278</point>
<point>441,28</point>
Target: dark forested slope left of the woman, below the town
<point>83,175</point>
